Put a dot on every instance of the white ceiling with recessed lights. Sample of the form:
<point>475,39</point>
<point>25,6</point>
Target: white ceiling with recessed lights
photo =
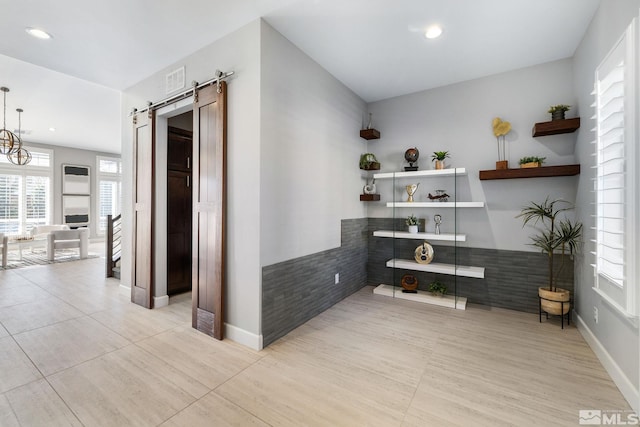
<point>375,47</point>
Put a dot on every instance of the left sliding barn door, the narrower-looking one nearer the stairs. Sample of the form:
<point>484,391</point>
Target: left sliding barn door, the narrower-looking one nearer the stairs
<point>143,170</point>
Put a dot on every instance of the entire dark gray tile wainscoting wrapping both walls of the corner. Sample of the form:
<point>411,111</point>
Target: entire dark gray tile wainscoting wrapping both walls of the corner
<point>297,290</point>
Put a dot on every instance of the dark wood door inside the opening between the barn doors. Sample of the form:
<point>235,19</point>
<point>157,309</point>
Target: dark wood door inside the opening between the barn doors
<point>179,210</point>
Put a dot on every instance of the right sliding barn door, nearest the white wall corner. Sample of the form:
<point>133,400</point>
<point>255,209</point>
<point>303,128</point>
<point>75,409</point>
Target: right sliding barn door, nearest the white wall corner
<point>209,173</point>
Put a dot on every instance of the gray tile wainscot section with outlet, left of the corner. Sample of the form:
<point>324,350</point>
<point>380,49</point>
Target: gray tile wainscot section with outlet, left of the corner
<point>297,290</point>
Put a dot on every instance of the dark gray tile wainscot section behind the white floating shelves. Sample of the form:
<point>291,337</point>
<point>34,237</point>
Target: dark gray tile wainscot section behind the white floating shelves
<point>511,278</point>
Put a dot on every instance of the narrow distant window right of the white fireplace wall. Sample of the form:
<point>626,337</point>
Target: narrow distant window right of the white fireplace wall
<point>109,190</point>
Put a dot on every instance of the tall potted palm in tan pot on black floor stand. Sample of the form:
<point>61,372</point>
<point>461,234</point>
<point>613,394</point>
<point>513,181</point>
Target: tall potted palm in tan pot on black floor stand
<point>555,237</point>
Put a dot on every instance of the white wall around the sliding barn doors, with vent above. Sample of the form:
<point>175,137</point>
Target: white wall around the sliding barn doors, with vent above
<point>239,52</point>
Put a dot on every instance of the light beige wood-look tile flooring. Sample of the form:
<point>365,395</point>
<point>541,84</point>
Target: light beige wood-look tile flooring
<point>74,351</point>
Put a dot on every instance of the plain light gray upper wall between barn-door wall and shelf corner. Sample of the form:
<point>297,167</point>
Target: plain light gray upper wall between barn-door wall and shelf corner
<point>310,148</point>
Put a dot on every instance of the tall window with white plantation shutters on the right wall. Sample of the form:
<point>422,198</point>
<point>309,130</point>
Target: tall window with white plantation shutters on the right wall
<point>615,182</point>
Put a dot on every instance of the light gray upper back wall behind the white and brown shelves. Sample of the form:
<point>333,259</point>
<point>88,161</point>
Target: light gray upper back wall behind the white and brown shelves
<point>457,118</point>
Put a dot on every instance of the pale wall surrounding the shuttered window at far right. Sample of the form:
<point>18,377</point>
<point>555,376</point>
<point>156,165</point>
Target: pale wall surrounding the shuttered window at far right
<point>615,334</point>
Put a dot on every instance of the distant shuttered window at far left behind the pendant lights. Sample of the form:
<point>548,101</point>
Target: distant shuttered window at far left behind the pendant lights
<point>25,193</point>
